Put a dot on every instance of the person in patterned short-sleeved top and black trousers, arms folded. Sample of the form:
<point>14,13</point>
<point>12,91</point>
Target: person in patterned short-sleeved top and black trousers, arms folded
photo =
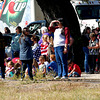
<point>93,52</point>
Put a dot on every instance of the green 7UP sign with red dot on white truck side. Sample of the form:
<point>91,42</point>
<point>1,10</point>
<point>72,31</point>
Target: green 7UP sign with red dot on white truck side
<point>12,11</point>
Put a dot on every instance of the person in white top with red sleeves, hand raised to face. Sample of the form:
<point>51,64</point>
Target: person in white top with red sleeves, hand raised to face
<point>61,41</point>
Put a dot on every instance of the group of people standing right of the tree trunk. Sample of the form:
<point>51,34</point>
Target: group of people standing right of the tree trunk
<point>91,44</point>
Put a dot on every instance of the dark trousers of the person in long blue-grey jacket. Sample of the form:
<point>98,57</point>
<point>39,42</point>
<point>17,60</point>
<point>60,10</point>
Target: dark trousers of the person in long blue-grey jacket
<point>25,64</point>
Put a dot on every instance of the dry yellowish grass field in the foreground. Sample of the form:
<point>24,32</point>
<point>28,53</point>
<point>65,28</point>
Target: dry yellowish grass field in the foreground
<point>48,90</point>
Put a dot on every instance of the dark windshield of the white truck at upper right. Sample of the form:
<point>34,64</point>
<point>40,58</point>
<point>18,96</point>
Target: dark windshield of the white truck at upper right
<point>88,11</point>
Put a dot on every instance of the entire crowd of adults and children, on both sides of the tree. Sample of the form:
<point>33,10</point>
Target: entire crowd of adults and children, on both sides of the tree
<point>50,53</point>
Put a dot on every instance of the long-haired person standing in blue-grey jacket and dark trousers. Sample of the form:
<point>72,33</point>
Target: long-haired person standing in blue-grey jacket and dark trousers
<point>26,54</point>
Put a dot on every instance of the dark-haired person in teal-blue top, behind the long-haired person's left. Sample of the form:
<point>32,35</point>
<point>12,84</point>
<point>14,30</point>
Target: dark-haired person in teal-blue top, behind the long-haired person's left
<point>15,41</point>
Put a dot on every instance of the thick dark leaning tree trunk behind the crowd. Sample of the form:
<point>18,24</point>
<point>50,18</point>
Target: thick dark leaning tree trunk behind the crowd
<point>54,9</point>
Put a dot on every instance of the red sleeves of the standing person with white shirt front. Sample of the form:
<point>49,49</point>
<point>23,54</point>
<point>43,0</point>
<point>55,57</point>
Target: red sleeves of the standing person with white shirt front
<point>66,31</point>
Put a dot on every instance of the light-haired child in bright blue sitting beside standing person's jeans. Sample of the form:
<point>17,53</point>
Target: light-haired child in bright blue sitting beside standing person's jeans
<point>53,65</point>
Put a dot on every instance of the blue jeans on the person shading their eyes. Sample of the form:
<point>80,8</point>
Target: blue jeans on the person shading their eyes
<point>61,60</point>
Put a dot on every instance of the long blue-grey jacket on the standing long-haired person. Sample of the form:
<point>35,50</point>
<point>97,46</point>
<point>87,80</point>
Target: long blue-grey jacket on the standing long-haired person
<point>25,48</point>
